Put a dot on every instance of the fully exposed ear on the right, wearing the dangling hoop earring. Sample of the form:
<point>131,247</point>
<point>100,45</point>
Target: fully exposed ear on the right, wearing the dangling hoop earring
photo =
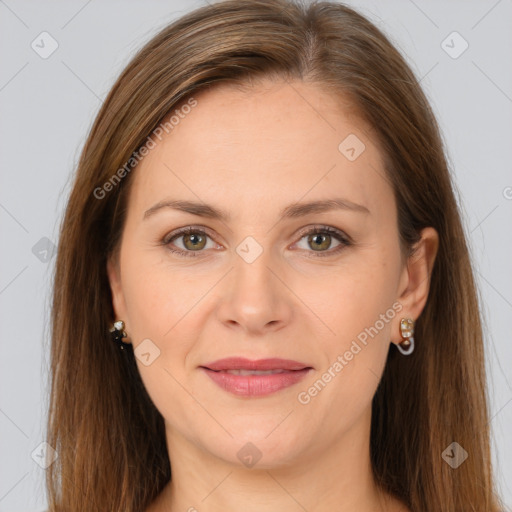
<point>415,279</point>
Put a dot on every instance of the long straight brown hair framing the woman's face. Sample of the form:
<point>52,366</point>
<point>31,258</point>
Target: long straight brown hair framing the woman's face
<point>109,436</point>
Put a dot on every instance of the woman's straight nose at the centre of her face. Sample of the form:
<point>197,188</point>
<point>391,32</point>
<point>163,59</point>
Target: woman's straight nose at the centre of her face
<point>255,298</point>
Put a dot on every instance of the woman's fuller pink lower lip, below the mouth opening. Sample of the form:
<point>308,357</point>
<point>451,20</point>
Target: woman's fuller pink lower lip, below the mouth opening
<point>256,385</point>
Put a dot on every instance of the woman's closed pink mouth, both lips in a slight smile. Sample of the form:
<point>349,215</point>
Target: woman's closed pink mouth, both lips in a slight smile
<point>243,377</point>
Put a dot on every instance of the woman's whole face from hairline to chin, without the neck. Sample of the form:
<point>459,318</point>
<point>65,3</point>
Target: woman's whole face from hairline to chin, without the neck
<point>259,282</point>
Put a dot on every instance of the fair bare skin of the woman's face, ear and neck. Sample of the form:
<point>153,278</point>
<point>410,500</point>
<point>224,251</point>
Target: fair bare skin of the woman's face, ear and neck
<point>252,153</point>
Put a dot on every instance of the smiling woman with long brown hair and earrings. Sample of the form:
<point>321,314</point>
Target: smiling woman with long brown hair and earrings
<point>263,297</point>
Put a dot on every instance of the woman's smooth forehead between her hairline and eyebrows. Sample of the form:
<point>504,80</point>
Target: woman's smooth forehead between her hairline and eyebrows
<point>276,142</point>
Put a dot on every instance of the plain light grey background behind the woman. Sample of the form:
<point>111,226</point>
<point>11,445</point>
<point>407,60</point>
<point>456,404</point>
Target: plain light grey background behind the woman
<point>47,106</point>
